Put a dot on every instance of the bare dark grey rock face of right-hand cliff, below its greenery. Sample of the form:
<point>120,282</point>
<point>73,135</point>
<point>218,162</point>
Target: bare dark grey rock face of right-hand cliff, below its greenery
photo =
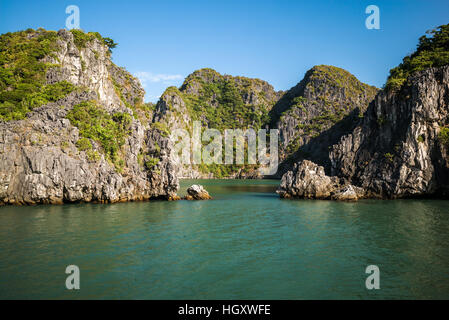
<point>400,148</point>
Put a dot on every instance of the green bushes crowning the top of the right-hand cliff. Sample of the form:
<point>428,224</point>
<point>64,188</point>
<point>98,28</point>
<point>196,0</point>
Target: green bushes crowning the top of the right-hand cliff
<point>432,51</point>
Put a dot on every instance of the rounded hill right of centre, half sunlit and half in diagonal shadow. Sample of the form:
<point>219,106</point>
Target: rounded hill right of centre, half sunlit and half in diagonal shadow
<point>314,114</point>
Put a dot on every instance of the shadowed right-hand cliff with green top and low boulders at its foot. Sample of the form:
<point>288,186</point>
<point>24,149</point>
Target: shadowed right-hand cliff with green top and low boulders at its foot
<point>399,148</point>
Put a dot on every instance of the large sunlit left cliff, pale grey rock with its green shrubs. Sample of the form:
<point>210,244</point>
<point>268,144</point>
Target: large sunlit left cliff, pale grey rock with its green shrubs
<point>78,132</point>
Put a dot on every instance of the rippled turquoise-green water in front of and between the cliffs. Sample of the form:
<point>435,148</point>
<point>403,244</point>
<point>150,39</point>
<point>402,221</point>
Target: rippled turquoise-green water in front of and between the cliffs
<point>244,244</point>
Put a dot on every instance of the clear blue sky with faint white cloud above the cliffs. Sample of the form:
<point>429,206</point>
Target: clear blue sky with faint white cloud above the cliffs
<point>277,41</point>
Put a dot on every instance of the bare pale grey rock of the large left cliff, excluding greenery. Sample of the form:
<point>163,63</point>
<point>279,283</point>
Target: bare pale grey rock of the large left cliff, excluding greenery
<point>40,161</point>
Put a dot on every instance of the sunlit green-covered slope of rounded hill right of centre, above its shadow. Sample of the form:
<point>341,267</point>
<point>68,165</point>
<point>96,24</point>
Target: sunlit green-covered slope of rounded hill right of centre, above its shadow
<point>325,96</point>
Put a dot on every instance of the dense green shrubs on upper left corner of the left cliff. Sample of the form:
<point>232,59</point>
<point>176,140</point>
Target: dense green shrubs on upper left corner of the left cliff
<point>22,72</point>
